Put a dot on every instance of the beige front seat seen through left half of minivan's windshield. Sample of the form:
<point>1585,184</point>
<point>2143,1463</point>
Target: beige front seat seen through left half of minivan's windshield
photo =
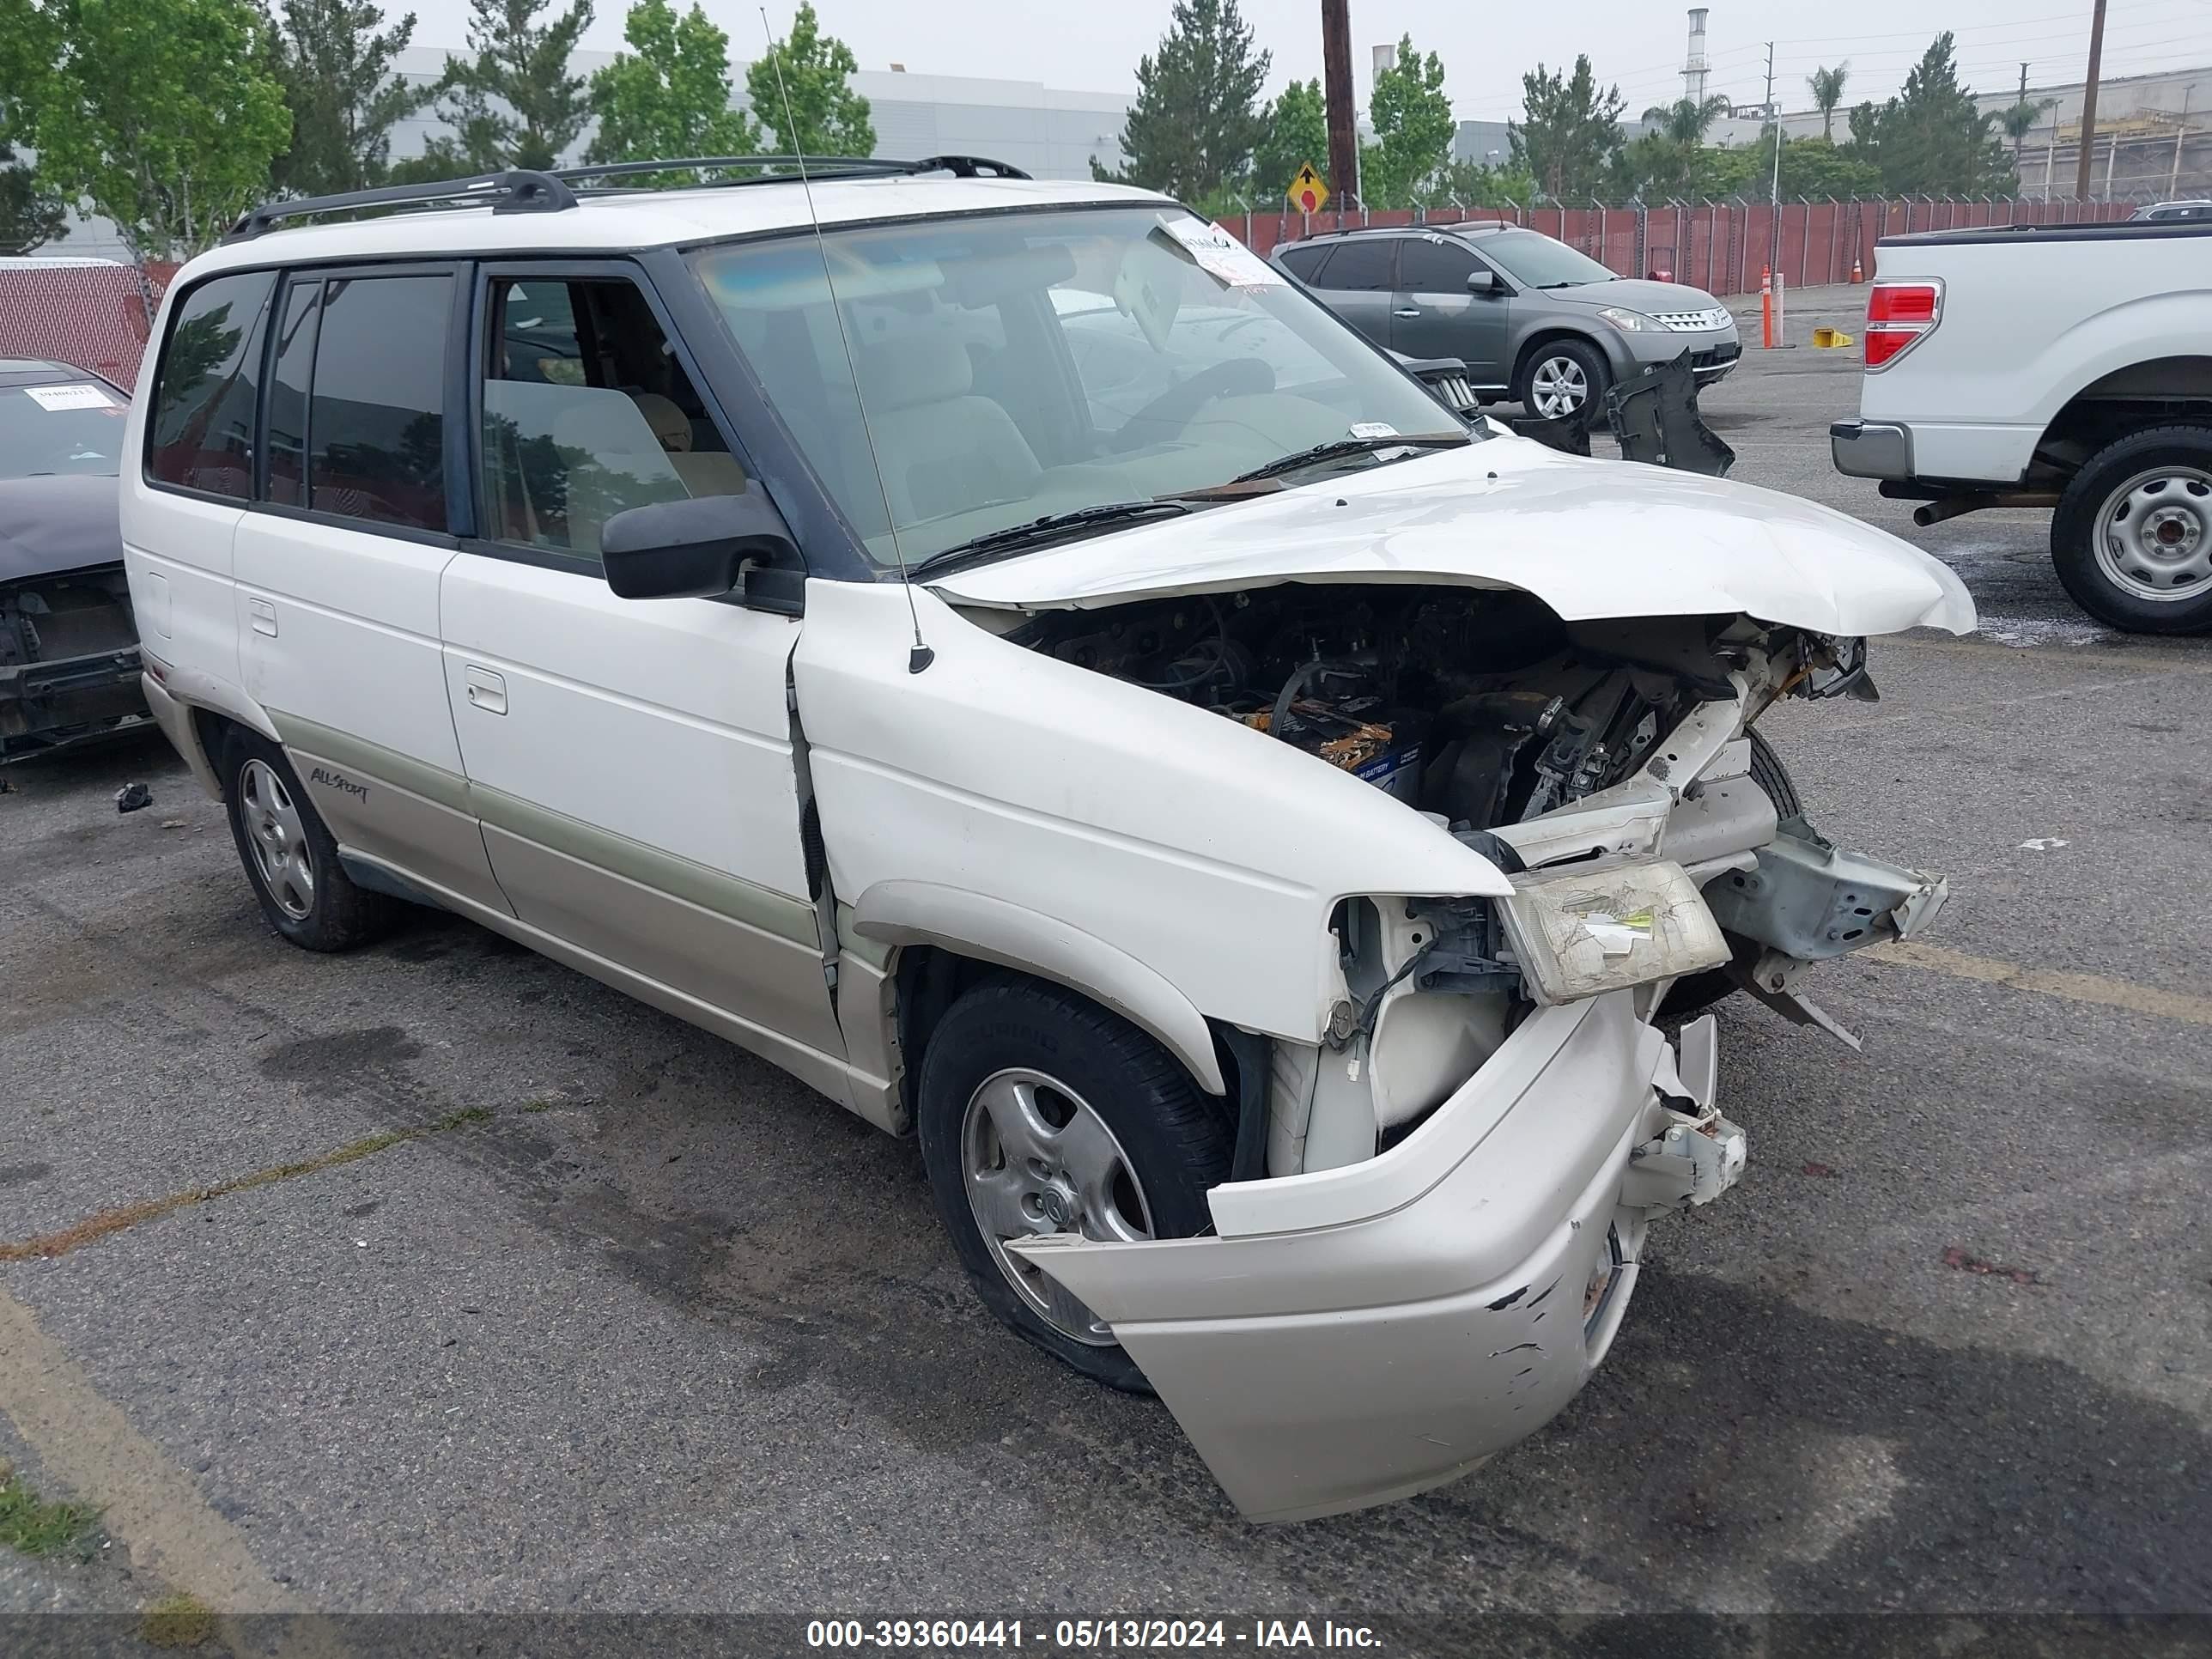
<point>939,444</point>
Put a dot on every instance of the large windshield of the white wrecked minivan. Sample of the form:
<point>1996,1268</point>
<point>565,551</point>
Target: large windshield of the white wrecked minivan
<point>1030,364</point>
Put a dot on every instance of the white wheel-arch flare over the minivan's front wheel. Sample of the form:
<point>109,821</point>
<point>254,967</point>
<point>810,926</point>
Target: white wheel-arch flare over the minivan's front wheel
<point>919,912</point>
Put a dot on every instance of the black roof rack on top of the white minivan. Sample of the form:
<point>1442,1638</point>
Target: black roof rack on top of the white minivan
<point>550,191</point>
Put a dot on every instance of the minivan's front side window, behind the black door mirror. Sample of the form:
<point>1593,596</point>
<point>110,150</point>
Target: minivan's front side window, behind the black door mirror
<point>587,413</point>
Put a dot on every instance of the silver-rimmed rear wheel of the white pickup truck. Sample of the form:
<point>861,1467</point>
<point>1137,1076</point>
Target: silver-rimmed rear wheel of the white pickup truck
<point>2133,534</point>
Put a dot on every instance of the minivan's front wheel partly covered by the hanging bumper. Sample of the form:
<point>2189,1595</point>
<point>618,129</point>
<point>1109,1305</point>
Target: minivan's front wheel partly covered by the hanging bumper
<point>1045,1114</point>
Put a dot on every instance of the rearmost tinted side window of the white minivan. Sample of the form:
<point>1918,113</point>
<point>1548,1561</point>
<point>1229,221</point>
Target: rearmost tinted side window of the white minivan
<point>202,426</point>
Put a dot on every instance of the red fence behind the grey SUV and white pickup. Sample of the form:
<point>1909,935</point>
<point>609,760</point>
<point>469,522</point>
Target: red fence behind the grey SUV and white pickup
<point>1720,247</point>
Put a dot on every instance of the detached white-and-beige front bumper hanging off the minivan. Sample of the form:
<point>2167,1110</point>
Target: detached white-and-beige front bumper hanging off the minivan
<point>1366,1333</point>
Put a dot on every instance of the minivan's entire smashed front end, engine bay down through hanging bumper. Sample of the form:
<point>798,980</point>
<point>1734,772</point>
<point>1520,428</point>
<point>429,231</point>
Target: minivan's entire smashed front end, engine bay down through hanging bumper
<point>1441,1200</point>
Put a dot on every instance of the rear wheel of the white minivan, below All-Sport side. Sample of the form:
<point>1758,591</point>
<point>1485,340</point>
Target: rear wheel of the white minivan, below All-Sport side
<point>291,857</point>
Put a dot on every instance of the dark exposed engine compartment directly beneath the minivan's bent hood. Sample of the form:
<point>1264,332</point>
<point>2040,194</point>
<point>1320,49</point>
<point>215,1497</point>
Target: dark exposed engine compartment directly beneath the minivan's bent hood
<point>1481,709</point>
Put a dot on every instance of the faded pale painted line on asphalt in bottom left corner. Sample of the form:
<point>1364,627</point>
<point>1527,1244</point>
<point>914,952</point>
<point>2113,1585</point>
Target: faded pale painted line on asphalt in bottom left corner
<point>145,1499</point>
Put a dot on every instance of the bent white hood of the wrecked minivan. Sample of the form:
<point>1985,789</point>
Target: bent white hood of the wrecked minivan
<point>1589,539</point>
